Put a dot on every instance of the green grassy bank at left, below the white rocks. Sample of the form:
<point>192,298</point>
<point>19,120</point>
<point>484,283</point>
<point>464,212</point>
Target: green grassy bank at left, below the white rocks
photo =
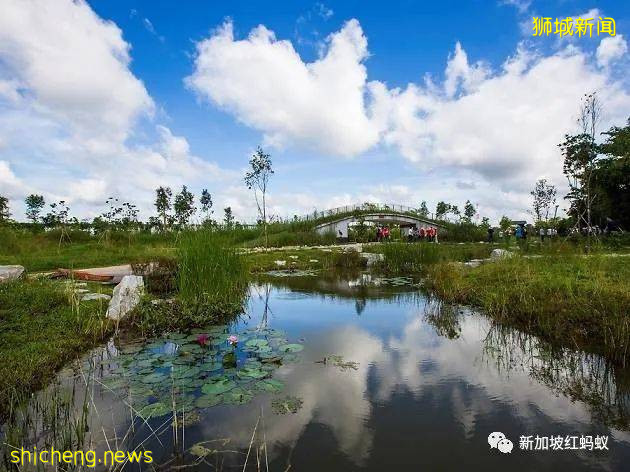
<point>42,327</point>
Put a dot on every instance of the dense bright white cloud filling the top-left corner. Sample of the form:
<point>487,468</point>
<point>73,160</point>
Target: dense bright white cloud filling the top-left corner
<point>73,65</point>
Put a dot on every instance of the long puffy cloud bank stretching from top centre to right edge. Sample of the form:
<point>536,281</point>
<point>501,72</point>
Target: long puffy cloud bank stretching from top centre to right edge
<point>502,125</point>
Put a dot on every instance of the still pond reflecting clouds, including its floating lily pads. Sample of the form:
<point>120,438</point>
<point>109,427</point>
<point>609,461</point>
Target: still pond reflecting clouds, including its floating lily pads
<point>343,373</point>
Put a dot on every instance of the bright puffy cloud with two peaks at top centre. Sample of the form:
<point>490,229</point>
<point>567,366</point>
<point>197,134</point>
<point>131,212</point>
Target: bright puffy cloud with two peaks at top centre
<point>266,85</point>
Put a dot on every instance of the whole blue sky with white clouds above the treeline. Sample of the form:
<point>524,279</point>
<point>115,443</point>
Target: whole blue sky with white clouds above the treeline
<point>356,101</point>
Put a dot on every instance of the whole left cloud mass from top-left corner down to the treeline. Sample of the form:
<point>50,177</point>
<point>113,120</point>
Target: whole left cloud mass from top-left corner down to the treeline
<point>70,108</point>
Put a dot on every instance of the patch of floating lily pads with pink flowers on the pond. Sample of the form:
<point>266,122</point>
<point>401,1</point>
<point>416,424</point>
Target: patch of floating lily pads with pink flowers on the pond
<point>204,376</point>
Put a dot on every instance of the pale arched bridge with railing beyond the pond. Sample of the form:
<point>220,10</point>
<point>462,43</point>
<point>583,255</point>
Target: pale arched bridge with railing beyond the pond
<point>405,220</point>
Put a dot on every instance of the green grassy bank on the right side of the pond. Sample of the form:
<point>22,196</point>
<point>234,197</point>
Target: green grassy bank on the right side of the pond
<point>578,301</point>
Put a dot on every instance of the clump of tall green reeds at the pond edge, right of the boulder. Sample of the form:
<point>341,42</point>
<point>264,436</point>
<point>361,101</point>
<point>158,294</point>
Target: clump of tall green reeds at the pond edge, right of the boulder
<point>210,272</point>
